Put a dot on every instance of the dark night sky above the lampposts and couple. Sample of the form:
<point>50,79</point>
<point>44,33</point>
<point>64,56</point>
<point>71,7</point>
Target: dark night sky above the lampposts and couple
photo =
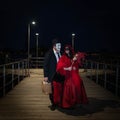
<point>96,23</point>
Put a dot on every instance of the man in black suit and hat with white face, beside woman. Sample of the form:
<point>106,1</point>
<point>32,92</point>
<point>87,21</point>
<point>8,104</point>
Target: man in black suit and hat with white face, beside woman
<point>50,62</point>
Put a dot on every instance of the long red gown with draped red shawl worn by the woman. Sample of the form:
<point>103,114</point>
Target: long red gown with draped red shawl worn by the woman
<point>72,92</point>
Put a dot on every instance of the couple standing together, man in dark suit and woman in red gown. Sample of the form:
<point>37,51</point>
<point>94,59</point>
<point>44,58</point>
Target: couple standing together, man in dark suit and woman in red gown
<point>71,91</point>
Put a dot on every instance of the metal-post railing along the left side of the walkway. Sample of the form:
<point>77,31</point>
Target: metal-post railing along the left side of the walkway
<point>11,74</point>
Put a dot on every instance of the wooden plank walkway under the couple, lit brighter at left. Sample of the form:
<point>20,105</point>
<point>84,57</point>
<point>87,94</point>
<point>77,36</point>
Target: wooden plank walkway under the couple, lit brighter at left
<point>27,102</point>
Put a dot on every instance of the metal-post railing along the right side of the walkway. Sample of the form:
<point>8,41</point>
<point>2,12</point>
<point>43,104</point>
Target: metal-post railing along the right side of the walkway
<point>106,75</point>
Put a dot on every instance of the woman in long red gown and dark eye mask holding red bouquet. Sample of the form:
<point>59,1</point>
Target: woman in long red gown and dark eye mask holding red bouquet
<point>73,91</point>
